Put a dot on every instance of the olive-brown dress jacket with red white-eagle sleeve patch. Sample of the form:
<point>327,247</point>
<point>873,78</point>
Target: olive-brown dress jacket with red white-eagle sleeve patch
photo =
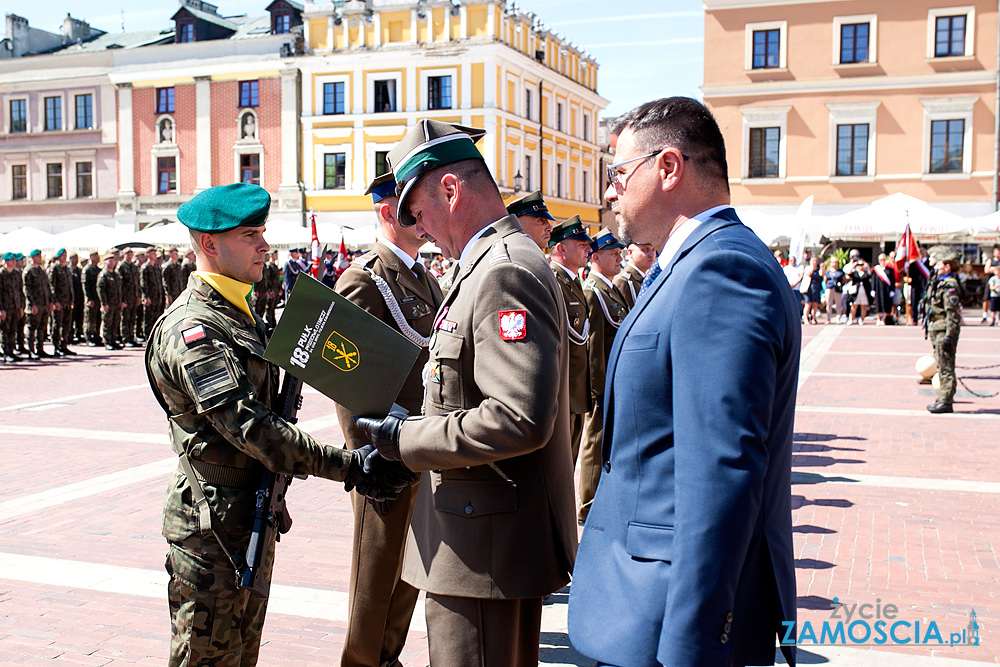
<point>494,516</point>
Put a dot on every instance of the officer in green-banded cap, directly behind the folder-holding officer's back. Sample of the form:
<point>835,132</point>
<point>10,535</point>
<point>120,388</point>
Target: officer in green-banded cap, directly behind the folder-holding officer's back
<point>569,248</point>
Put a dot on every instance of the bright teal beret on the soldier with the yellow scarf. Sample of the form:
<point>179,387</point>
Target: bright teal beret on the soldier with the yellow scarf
<point>226,207</point>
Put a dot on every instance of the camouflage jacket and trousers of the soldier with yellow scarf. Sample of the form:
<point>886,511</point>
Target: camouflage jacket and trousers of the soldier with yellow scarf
<point>217,390</point>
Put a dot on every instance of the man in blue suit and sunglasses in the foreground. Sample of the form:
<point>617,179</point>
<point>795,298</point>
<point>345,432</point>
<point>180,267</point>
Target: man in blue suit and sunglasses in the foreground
<point>686,556</point>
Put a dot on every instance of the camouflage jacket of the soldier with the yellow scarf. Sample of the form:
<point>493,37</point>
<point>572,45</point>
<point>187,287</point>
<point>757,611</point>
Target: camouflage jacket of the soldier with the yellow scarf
<point>205,364</point>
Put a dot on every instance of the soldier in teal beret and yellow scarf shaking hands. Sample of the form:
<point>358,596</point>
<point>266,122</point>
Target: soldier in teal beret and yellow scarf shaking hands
<point>206,367</point>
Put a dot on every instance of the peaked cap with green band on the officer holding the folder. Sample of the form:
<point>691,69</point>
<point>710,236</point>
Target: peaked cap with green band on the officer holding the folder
<point>427,145</point>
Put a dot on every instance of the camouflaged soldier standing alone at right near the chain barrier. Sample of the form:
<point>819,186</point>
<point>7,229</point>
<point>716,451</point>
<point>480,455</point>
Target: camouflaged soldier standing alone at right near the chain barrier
<point>943,322</point>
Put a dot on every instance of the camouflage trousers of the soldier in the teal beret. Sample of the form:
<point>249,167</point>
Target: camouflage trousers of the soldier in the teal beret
<point>212,622</point>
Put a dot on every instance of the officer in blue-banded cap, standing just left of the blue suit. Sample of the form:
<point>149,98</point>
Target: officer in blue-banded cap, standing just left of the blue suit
<point>606,308</point>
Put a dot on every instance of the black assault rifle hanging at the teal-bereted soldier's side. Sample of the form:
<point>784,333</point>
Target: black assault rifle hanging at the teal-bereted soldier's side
<point>269,512</point>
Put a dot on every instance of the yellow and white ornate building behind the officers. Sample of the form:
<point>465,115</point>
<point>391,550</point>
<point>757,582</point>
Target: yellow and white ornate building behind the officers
<point>374,68</point>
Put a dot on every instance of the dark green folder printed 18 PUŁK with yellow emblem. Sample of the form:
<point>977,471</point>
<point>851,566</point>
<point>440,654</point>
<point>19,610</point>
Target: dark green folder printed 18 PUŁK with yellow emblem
<point>340,349</point>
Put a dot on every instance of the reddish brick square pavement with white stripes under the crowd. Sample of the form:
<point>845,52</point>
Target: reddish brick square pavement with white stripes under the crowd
<point>891,504</point>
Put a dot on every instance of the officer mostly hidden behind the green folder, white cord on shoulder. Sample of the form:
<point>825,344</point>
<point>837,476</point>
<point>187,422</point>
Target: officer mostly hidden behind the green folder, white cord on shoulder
<point>389,282</point>
